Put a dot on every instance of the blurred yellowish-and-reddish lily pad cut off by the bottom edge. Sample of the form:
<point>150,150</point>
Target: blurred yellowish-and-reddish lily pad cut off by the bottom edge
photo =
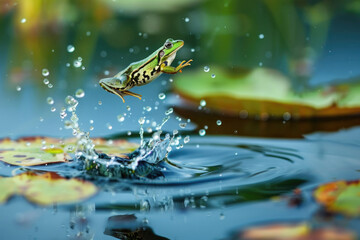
<point>297,231</point>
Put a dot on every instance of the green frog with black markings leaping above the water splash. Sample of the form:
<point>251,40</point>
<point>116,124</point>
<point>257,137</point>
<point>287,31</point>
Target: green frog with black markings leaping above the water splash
<point>146,70</point>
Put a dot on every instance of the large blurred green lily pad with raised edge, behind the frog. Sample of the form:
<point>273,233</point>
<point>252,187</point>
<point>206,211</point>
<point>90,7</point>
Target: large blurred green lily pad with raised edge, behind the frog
<point>264,92</point>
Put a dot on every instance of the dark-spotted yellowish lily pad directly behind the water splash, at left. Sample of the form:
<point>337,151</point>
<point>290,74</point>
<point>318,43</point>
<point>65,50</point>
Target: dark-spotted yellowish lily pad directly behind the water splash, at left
<point>34,151</point>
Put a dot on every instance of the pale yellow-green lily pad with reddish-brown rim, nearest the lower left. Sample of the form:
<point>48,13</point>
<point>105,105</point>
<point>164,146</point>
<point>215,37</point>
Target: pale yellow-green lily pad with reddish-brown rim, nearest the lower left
<point>44,189</point>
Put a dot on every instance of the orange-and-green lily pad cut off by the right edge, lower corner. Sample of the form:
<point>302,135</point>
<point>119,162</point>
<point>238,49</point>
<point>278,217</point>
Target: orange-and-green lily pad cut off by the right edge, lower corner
<point>341,196</point>
